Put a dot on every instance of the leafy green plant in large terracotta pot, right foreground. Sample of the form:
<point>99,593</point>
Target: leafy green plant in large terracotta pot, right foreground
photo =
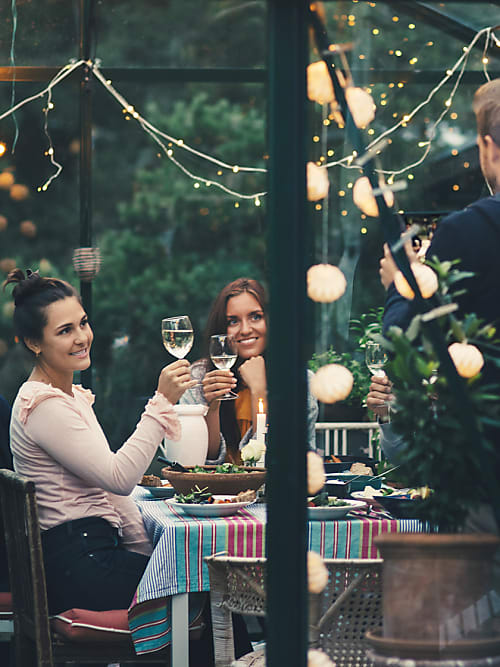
<point>447,575</point>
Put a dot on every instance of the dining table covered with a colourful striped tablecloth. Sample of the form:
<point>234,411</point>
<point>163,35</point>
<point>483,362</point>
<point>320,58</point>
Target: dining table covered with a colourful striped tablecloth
<point>162,608</point>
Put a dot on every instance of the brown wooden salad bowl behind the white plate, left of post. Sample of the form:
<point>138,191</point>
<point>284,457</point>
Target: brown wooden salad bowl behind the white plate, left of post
<point>222,483</point>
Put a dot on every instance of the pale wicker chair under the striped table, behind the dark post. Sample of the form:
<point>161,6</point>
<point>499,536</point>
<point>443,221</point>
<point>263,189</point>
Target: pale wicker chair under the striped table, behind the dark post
<point>339,617</point>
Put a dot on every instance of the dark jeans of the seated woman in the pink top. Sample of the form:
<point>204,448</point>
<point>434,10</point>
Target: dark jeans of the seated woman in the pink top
<point>87,567</point>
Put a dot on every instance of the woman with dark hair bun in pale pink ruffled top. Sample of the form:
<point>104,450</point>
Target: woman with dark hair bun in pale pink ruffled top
<point>94,542</point>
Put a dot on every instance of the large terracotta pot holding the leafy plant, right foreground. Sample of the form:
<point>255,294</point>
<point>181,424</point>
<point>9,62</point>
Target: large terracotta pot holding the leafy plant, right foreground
<point>437,596</point>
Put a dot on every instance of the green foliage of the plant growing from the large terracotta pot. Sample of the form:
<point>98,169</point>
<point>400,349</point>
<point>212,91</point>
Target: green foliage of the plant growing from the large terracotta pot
<point>439,452</point>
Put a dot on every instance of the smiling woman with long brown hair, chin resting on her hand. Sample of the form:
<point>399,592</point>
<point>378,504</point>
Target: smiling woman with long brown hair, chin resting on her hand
<point>240,310</point>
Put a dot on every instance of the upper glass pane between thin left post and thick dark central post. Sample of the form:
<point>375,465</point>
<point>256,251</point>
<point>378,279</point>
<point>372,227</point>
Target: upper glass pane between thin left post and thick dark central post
<point>187,33</point>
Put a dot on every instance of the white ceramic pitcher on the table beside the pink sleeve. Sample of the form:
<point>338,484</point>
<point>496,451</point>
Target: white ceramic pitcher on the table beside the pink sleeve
<point>192,448</point>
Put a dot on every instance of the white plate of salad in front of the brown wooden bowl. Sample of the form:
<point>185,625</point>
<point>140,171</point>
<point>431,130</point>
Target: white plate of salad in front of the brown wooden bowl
<point>204,504</point>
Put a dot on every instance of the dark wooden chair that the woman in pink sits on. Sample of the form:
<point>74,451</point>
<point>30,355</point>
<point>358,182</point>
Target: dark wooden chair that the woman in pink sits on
<point>36,643</point>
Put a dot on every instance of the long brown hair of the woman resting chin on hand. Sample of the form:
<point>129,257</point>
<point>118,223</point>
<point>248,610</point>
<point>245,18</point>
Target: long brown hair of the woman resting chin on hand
<point>217,324</point>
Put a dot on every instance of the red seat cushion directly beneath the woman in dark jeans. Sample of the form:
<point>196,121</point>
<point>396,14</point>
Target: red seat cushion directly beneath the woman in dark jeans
<point>83,625</point>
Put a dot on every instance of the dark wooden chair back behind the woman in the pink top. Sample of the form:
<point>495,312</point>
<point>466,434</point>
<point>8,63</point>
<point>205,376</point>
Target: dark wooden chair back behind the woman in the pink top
<point>26,569</point>
